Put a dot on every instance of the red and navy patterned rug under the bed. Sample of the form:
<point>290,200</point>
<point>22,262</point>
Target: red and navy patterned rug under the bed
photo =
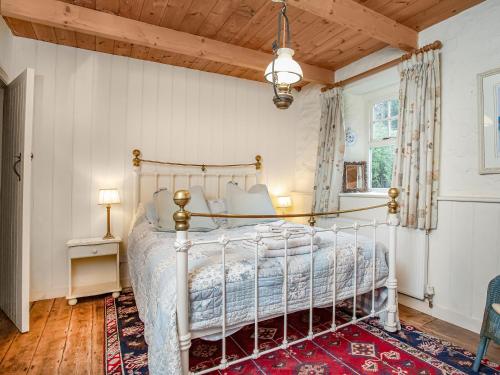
<point>364,348</point>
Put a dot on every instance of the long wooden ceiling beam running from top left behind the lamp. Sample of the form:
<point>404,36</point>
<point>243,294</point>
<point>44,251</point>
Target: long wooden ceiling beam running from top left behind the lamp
<point>71,17</point>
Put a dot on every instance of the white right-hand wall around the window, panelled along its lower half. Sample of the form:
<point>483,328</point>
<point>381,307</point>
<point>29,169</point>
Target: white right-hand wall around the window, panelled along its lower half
<point>464,251</point>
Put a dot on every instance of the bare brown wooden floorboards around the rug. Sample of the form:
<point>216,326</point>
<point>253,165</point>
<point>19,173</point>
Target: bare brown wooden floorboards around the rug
<point>70,340</point>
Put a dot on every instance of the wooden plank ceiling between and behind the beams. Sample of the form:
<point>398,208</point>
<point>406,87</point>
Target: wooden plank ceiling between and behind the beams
<point>317,39</point>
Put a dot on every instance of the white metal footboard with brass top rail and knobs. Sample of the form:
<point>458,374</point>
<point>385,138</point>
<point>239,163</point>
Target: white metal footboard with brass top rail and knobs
<point>183,244</point>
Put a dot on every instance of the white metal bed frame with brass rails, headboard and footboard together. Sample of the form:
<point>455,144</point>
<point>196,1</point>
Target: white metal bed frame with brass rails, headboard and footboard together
<point>183,244</point>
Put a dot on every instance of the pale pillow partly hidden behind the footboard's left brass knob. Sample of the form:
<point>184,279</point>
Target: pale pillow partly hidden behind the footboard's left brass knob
<point>165,208</point>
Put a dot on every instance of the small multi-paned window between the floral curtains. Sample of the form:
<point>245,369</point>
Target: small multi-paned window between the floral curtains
<point>383,132</point>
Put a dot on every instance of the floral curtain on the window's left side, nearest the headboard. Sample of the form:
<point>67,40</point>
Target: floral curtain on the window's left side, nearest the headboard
<point>330,156</point>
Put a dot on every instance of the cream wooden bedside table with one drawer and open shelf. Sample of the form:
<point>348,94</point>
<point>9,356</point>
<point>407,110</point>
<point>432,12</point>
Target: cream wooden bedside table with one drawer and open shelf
<point>93,268</point>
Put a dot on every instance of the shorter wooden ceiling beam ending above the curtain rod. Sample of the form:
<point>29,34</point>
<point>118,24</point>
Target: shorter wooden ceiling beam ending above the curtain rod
<point>358,17</point>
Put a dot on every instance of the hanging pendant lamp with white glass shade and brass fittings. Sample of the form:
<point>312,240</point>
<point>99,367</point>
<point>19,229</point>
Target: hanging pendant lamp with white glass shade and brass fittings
<point>283,71</point>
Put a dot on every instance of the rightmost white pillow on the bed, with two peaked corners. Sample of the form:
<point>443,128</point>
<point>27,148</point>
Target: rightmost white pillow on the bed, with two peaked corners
<point>254,202</point>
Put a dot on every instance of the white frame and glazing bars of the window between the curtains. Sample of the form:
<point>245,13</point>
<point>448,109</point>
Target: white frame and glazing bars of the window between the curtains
<point>390,141</point>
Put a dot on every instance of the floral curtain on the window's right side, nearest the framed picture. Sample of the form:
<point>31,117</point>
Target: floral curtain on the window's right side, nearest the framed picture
<point>416,163</point>
